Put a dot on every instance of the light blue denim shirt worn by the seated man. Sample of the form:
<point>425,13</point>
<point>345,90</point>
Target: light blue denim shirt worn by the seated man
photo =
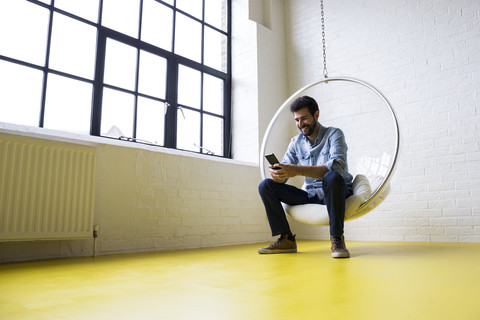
<point>329,149</point>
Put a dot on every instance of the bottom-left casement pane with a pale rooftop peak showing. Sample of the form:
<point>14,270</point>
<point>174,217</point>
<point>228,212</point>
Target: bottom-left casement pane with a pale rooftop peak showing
<point>117,113</point>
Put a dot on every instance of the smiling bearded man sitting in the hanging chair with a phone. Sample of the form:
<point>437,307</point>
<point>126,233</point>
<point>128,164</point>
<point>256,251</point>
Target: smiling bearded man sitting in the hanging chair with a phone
<point>320,155</point>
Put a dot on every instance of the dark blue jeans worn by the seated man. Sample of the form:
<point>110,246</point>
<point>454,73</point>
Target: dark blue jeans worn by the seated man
<point>334,187</point>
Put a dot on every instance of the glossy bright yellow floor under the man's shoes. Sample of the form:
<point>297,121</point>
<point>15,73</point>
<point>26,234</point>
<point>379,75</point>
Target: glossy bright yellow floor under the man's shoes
<point>382,280</point>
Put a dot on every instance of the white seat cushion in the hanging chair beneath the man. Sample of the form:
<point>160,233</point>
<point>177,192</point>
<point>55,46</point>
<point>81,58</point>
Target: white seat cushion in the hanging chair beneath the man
<point>316,214</point>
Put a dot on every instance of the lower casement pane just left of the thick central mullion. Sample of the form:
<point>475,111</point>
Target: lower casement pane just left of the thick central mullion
<point>151,120</point>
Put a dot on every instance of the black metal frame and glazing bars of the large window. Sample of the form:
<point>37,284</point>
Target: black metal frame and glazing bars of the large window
<point>173,62</point>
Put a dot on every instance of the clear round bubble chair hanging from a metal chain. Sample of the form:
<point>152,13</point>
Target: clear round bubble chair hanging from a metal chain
<point>372,134</point>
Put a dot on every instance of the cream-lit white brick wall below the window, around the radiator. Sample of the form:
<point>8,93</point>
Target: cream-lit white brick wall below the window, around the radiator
<point>148,200</point>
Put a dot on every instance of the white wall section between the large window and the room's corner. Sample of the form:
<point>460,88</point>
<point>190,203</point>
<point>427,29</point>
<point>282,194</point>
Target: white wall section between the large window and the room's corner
<point>259,72</point>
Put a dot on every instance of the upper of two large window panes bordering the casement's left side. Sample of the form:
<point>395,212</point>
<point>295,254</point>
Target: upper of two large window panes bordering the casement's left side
<point>73,54</point>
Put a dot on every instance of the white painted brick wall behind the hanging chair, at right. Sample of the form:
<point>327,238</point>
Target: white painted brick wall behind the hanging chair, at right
<point>425,57</point>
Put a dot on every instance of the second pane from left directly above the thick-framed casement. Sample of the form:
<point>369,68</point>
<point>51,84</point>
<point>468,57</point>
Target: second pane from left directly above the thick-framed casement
<point>157,24</point>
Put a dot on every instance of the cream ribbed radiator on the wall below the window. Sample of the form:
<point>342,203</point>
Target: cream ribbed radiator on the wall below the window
<point>46,189</point>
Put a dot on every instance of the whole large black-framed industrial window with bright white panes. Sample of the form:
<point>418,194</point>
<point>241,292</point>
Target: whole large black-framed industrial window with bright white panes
<point>147,71</point>
